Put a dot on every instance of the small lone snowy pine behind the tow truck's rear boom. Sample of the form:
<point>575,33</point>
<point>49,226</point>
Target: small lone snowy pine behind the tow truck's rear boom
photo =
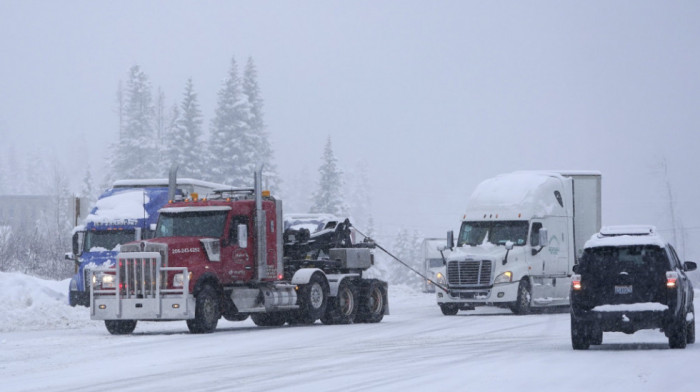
<point>328,198</point>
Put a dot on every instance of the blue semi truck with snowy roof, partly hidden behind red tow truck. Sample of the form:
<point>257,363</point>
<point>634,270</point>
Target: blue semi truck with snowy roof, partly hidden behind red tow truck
<point>126,212</point>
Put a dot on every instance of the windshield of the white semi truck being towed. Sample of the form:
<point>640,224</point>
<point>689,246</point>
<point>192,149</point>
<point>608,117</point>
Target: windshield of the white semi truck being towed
<point>497,233</point>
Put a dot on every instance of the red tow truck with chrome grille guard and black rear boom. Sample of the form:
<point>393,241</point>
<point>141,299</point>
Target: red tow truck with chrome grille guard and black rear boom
<point>227,255</point>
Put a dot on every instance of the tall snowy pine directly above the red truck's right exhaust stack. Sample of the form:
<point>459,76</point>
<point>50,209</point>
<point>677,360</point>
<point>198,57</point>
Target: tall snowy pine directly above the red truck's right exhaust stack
<point>256,146</point>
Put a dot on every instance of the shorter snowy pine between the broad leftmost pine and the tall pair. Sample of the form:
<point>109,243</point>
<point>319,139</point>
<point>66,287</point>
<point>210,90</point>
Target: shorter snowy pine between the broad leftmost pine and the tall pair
<point>184,145</point>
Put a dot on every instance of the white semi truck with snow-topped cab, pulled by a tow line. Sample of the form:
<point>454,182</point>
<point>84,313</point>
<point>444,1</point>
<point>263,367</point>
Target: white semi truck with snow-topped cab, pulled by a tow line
<point>520,237</point>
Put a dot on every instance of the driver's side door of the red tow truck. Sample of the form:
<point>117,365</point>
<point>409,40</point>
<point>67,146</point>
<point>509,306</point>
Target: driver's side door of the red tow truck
<point>237,252</point>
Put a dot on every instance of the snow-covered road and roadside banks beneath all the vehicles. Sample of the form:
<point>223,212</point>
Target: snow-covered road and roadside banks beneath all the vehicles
<point>45,345</point>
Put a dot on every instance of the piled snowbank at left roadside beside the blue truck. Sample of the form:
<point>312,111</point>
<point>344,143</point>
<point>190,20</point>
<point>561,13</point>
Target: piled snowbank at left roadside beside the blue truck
<point>28,303</point>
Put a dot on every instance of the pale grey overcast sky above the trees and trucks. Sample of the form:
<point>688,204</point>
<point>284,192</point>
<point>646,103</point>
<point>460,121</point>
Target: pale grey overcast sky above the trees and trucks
<point>434,96</point>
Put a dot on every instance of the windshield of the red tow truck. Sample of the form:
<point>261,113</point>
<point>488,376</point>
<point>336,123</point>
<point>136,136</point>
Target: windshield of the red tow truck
<point>191,224</point>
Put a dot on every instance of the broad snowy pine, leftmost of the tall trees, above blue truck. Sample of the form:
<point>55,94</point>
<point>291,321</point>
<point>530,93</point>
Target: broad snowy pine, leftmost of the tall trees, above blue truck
<point>135,154</point>
